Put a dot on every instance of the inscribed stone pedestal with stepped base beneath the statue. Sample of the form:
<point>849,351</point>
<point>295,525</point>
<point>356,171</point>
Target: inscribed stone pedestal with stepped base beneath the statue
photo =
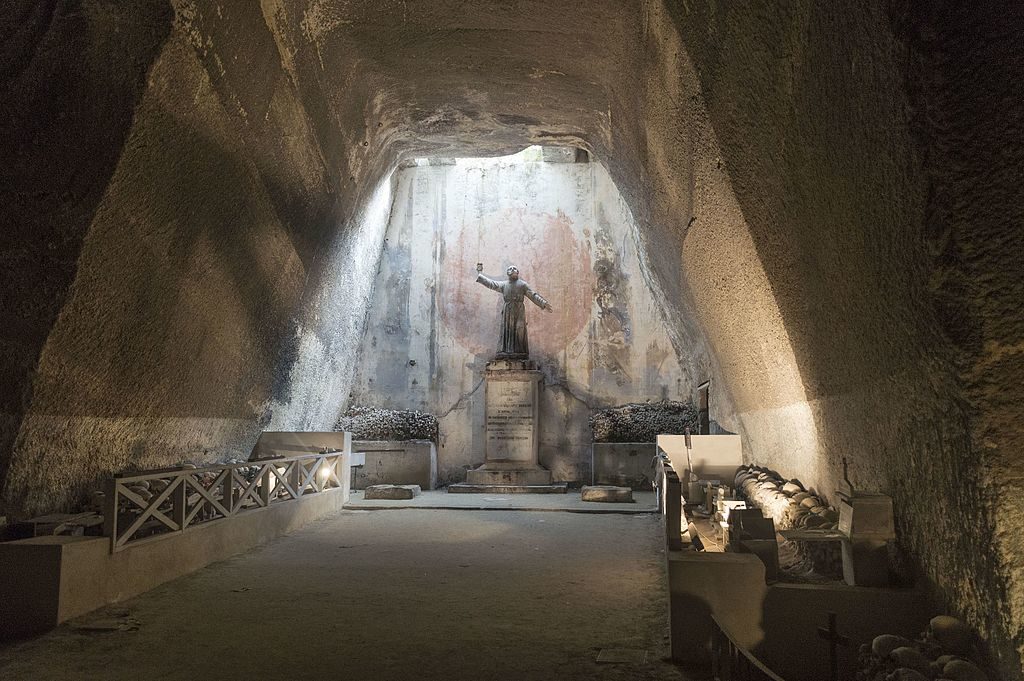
<point>513,431</point>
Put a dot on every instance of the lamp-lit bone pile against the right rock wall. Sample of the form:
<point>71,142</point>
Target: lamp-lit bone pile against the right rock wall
<point>792,507</point>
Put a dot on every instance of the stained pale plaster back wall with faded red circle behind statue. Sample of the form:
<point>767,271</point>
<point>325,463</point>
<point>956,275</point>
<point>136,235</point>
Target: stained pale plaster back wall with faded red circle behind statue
<point>432,328</point>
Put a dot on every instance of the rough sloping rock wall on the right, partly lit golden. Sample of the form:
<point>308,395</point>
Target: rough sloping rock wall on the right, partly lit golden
<point>848,265</point>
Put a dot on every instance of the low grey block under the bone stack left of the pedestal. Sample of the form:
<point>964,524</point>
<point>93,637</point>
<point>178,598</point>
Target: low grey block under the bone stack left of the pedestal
<point>397,462</point>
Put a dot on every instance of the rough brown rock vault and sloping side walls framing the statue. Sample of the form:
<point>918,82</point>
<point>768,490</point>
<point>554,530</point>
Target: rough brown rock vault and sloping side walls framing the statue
<point>828,197</point>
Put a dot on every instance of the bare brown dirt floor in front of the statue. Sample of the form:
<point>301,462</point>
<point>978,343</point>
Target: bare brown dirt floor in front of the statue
<point>393,595</point>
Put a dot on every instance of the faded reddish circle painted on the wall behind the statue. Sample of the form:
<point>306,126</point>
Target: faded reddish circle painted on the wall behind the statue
<point>550,259</point>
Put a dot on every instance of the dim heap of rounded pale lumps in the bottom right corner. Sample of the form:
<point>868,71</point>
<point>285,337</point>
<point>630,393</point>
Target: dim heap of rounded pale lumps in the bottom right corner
<point>946,652</point>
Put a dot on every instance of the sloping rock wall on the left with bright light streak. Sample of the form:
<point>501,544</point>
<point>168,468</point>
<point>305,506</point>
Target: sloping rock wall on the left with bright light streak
<point>189,265</point>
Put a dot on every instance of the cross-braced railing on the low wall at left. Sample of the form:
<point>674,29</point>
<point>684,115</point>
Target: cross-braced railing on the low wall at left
<point>157,504</point>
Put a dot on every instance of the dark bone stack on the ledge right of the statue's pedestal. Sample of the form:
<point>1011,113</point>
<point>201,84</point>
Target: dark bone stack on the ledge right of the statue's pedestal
<point>643,423</point>
